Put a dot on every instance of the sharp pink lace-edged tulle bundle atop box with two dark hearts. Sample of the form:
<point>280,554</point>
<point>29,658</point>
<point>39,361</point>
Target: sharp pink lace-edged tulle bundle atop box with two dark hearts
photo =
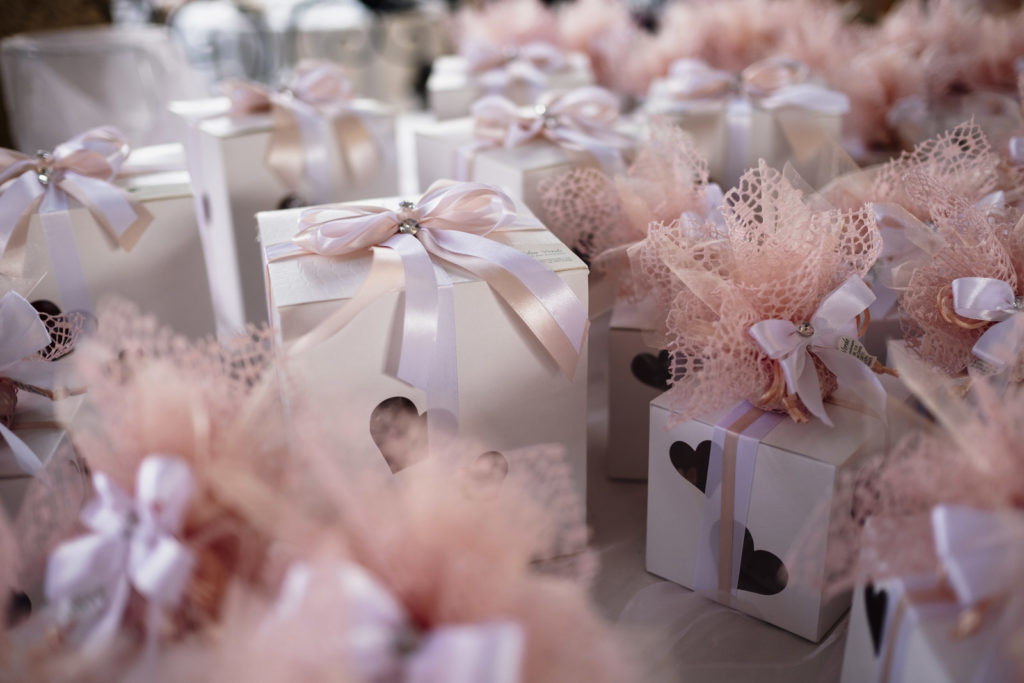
<point>775,258</point>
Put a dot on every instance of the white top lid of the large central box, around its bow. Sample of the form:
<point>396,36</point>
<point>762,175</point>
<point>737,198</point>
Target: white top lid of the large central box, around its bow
<point>313,278</point>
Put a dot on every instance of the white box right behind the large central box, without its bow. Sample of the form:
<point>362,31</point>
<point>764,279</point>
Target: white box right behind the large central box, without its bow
<point>520,172</point>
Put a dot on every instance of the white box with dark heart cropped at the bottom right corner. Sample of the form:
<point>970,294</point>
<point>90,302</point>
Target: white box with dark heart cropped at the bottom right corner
<point>903,630</point>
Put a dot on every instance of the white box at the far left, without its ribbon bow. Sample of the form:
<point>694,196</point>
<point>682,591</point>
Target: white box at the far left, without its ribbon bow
<point>164,273</point>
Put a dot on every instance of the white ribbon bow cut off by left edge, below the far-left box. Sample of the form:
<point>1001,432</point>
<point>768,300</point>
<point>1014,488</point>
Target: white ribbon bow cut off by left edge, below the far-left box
<point>23,335</point>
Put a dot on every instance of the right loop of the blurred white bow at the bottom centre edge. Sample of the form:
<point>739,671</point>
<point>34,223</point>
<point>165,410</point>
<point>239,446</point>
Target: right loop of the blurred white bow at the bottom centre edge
<point>474,654</point>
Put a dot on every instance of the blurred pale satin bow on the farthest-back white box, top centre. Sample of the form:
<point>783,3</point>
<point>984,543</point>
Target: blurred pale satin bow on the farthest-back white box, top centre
<point>497,69</point>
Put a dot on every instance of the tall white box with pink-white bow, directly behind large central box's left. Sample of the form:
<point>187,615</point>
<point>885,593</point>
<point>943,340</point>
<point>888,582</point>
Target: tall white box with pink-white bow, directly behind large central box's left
<point>264,150</point>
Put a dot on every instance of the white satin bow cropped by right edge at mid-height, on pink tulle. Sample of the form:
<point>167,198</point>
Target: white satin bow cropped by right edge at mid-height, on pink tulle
<point>991,300</point>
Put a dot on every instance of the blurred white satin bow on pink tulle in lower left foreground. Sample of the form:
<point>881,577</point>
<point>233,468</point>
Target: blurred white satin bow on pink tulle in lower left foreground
<point>132,545</point>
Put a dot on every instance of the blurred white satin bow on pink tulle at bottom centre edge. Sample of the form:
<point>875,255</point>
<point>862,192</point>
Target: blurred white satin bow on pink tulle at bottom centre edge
<point>382,645</point>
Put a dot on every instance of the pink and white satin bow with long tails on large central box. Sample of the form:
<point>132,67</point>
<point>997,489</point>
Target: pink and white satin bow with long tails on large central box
<point>449,225</point>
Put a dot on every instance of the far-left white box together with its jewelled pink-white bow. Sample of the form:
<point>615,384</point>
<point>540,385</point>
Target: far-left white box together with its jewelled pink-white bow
<point>94,221</point>
